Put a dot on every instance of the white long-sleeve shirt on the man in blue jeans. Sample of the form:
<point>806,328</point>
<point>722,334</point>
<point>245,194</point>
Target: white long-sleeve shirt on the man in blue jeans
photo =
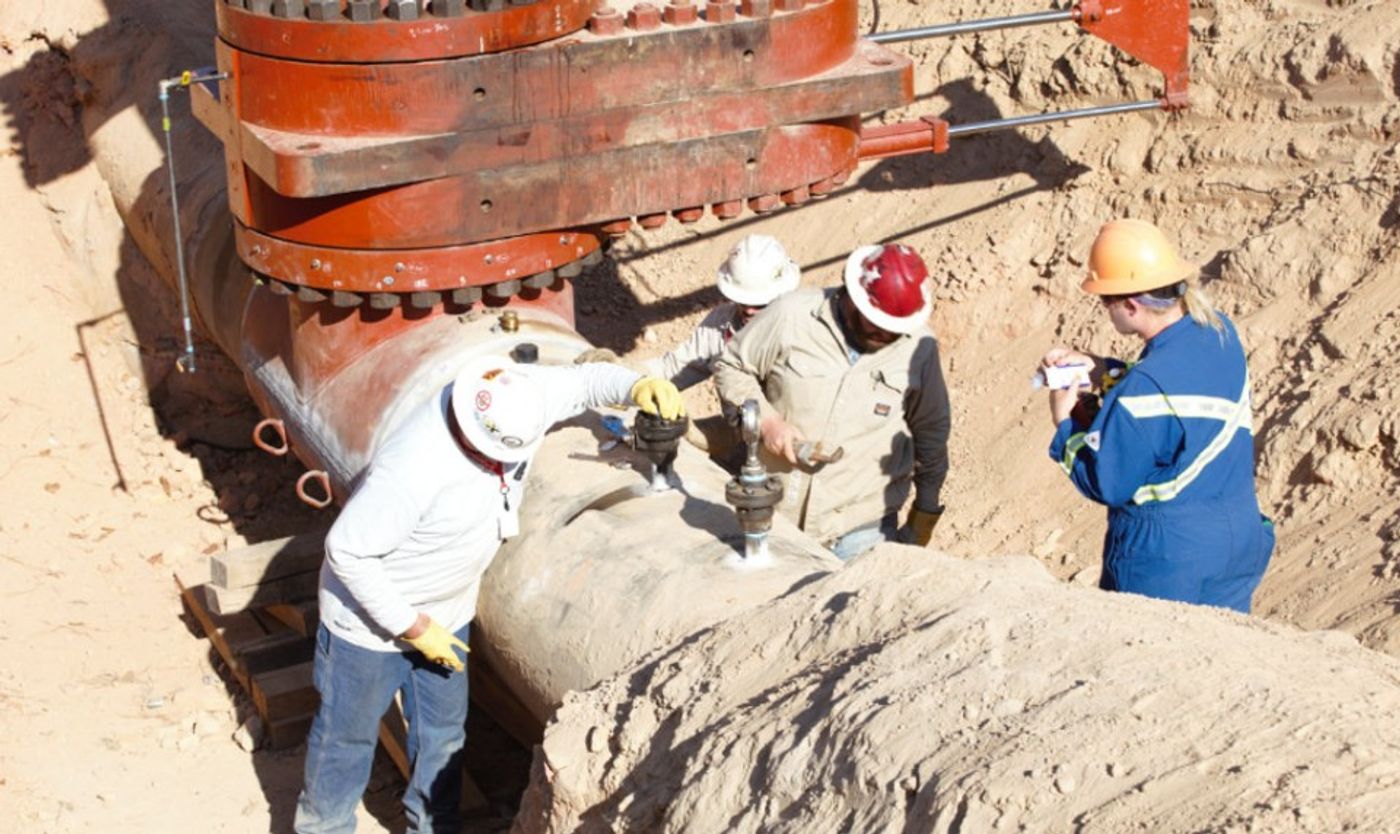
<point>426,521</point>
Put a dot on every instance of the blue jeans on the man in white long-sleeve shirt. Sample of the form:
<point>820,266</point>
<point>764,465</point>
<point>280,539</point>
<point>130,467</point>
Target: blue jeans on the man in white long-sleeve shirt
<point>356,688</point>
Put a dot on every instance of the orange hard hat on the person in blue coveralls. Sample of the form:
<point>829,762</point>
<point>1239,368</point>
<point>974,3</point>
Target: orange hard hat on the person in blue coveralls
<point>1133,257</point>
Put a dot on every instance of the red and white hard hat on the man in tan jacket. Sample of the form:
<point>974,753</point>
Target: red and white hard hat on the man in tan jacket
<point>891,288</point>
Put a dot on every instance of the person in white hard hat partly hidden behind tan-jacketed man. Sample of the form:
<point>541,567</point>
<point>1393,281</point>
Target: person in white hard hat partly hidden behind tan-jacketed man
<point>757,272</point>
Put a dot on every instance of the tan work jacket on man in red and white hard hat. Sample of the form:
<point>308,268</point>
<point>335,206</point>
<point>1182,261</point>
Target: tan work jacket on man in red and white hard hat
<point>887,409</point>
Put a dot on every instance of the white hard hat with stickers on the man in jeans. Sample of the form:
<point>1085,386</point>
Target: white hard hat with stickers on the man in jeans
<point>500,409</point>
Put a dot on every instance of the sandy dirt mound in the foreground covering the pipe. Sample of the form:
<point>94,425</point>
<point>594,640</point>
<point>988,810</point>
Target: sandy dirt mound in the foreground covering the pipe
<point>915,692</point>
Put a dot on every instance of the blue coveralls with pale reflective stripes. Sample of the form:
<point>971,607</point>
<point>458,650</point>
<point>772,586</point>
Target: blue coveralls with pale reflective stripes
<point>1172,455</point>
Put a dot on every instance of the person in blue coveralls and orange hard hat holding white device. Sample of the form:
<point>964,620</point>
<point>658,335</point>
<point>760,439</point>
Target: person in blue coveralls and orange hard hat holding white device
<point>1167,443</point>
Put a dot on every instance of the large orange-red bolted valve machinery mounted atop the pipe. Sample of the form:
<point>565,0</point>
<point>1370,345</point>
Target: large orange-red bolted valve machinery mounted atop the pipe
<point>397,163</point>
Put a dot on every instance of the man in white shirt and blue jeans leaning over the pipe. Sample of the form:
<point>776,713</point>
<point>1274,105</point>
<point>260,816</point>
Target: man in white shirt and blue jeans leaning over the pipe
<point>404,565</point>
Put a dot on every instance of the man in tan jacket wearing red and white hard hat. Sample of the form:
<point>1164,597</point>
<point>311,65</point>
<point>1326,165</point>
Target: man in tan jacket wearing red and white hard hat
<point>852,372</point>
